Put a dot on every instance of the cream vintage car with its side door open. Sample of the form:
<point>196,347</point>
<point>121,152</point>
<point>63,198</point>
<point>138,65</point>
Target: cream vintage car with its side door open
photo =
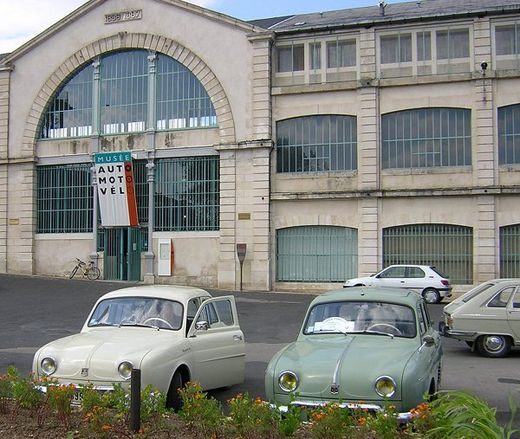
<point>172,334</point>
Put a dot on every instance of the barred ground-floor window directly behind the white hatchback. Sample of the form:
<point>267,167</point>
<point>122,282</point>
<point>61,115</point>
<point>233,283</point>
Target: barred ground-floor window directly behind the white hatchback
<point>449,248</point>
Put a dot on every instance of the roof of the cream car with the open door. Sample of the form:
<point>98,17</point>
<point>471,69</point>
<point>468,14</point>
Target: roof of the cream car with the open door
<point>180,293</point>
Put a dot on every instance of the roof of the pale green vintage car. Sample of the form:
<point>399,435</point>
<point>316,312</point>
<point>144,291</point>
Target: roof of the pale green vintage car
<point>370,294</point>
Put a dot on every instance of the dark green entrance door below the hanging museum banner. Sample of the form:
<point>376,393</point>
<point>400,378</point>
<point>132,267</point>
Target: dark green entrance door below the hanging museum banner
<point>122,259</point>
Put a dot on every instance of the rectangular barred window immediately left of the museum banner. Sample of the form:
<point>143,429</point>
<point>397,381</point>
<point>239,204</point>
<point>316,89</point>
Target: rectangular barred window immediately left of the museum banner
<point>64,199</point>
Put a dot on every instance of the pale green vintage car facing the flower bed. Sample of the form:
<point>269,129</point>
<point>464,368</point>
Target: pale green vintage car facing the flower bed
<point>363,347</point>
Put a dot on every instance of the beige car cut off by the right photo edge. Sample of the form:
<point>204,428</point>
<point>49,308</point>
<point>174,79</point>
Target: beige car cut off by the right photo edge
<point>487,317</point>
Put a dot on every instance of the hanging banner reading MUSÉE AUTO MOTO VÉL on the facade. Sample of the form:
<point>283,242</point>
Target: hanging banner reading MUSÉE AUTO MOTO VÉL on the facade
<point>116,190</point>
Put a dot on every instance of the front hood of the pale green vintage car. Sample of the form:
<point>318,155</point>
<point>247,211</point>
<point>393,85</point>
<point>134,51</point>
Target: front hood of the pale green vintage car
<point>352,362</point>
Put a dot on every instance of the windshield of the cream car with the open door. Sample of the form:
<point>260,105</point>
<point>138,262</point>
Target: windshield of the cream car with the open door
<point>138,311</point>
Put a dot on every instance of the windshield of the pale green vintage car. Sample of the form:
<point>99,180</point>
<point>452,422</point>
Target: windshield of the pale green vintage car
<point>361,317</point>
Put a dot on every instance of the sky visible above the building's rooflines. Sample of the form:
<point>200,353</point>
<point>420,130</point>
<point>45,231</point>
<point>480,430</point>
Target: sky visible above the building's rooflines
<point>22,20</point>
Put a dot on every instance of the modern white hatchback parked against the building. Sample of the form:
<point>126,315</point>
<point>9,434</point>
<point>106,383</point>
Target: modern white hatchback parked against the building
<point>425,279</point>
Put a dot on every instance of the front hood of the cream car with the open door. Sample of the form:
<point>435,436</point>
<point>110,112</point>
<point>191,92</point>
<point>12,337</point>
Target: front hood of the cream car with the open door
<point>96,354</point>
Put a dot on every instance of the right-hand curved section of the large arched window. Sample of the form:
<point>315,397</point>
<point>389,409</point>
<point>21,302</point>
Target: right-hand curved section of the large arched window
<point>182,101</point>
